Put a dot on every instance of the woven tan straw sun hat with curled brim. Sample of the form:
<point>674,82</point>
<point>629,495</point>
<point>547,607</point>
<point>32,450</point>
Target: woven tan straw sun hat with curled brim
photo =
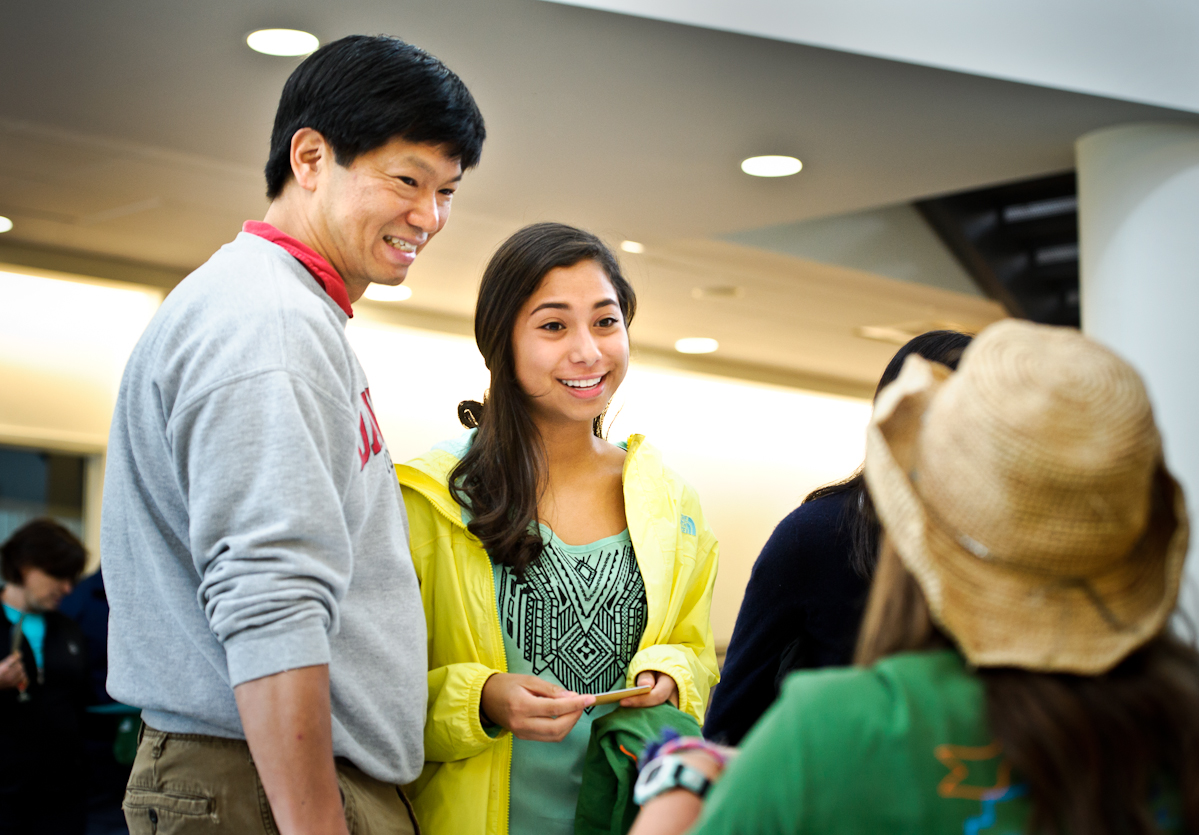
<point>1028,497</point>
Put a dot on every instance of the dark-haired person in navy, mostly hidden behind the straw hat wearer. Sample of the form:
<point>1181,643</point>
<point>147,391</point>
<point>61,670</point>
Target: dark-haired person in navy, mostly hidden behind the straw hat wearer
<point>808,591</point>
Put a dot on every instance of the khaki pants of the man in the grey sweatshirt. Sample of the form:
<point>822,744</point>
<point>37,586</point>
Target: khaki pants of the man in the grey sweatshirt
<point>185,784</point>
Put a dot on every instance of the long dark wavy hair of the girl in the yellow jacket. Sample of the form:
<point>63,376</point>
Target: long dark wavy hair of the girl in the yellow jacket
<point>502,477</point>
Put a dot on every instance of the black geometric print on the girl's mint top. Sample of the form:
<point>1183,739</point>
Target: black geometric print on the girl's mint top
<point>581,616</point>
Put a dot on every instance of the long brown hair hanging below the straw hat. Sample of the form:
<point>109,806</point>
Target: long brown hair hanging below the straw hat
<point>1094,750</point>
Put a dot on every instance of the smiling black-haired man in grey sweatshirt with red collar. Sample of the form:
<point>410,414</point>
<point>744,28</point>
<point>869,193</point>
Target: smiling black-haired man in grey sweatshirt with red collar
<point>266,615</point>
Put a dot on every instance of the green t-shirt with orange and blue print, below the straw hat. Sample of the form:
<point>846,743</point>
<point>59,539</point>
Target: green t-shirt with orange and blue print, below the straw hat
<point>902,748</point>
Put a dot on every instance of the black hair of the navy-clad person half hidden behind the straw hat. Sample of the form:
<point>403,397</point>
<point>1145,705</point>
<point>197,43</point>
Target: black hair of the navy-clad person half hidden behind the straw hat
<point>859,519</point>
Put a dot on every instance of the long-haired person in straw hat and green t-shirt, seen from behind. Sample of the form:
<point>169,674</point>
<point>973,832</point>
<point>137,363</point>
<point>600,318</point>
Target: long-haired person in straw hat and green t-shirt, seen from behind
<point>1015,672</point>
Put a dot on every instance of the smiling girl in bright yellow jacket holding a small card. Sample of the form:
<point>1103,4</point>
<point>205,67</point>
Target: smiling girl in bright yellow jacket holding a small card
<point>553,566</point>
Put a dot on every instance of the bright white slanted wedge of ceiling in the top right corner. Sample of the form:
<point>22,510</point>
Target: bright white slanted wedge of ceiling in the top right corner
<point>1142,51</point>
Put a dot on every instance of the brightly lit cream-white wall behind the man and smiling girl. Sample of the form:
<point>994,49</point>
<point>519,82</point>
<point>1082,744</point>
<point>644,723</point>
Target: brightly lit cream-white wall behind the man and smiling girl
<point>752,452</point>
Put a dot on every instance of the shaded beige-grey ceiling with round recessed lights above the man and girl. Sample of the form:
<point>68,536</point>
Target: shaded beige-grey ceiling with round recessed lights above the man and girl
<point>136,130</point>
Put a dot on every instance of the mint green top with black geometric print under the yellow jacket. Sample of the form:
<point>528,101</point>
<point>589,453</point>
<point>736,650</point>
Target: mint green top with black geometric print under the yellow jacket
<point>576,620</point>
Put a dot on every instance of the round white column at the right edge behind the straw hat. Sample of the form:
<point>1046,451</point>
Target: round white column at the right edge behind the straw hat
<point>1138,214</point>
